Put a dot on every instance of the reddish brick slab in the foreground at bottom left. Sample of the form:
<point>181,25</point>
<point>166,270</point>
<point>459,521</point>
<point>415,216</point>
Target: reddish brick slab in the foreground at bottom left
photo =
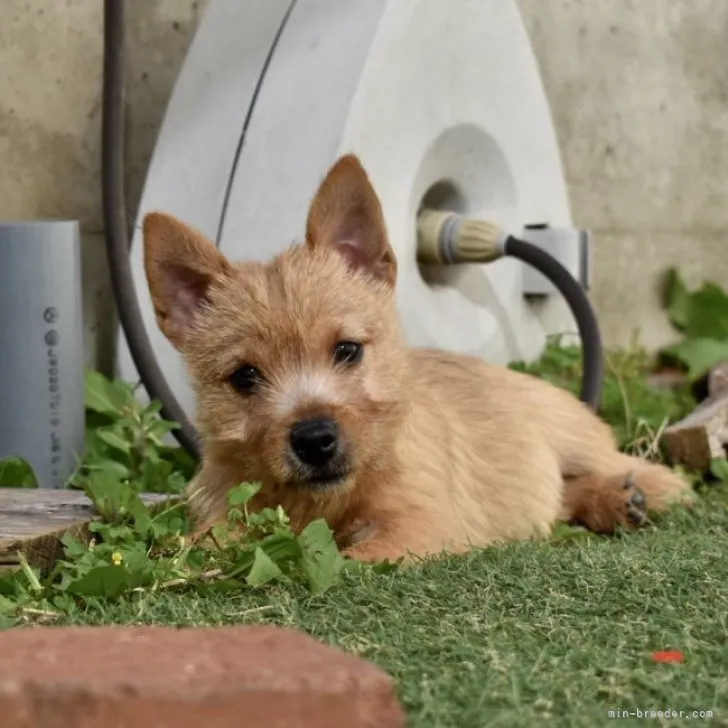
<point>162,677</point>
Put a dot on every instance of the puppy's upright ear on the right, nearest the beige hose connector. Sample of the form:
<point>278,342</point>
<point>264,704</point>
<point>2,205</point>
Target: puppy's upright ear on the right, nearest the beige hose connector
<point>346,215</point>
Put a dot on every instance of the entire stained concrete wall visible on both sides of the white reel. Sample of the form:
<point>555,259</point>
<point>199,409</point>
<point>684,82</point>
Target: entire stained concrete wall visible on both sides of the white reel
<point>638,89</point>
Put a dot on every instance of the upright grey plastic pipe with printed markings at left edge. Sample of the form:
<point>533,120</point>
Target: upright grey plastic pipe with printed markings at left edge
<point>41,348</point>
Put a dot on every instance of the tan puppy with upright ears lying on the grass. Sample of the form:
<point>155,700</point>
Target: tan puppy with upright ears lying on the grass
<point>304,384</point>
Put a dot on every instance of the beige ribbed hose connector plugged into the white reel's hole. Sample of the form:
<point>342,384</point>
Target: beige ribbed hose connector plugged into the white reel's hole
<point>445,238</point>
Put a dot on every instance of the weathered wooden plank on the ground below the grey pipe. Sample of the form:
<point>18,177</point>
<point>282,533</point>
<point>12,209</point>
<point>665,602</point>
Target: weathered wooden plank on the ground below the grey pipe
<point>33,520</point>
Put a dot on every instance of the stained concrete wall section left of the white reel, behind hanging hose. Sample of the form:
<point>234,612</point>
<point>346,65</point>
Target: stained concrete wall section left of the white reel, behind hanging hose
<point>50,121</point>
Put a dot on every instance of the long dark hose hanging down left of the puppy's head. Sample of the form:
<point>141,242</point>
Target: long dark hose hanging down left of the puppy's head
<point>117,238</point>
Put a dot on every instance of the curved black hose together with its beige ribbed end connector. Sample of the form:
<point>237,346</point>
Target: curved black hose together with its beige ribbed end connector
<point>446,238</point>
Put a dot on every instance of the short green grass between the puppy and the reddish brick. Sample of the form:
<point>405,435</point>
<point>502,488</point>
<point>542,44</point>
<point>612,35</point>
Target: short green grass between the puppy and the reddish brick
<point>552,634</point>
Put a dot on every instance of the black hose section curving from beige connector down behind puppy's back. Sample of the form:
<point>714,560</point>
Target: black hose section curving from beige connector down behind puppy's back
<point>586,321</point>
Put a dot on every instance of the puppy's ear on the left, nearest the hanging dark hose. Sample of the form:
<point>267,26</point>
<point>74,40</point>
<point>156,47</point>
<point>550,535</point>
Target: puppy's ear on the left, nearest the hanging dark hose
<point>180,265</point>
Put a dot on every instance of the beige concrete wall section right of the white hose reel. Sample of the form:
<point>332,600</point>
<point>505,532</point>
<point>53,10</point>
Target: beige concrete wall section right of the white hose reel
<point>639,95</point>
